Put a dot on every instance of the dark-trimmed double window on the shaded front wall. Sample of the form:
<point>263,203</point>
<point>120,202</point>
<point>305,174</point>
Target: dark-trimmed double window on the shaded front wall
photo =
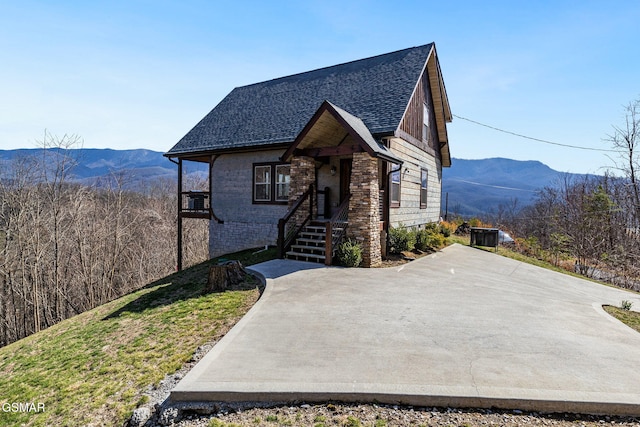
<point>271,183</point>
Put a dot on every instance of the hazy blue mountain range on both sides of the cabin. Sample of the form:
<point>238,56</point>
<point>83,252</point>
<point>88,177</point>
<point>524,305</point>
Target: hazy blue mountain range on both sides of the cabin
<point>473,187</point>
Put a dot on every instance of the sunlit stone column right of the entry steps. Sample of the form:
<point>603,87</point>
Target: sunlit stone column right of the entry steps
<point>364,217</point>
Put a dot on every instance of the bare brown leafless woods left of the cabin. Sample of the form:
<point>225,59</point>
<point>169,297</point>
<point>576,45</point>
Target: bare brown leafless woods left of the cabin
<point>66,247</point>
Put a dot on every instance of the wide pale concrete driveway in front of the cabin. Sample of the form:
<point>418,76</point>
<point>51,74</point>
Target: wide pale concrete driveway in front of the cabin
<point>459,328</point>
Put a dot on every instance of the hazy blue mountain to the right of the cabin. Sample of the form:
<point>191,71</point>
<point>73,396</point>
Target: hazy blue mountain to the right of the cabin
<point>481,186</point>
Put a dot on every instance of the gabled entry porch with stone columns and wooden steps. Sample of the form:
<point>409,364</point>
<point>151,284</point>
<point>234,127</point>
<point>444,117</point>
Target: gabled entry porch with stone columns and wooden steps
<point>335,159</point>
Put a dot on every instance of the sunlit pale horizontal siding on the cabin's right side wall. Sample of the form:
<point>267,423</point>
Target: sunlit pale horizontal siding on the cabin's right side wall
<point>409,213</point>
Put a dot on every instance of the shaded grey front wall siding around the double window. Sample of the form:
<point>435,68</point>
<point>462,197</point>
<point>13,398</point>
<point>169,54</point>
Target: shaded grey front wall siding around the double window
<point>246,225</point>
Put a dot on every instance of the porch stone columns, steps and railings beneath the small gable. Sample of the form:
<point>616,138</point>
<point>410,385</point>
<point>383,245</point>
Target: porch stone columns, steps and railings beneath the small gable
<point>313,227</point>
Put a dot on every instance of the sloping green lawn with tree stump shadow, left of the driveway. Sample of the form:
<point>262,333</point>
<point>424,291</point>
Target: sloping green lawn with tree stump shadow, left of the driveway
<point>91,369</point>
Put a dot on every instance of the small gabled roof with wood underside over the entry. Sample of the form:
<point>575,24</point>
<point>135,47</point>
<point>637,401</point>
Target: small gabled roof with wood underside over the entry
<point>333,131</point>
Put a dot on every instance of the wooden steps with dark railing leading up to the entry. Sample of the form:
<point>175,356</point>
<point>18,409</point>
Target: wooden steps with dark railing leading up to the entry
<point>310,244</point>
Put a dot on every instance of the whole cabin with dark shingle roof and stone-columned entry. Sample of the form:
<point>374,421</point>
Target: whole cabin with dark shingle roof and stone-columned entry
<point>303,161</point>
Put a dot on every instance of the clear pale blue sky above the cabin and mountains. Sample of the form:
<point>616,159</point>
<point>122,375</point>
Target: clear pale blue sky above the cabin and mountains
<point>140,74</point>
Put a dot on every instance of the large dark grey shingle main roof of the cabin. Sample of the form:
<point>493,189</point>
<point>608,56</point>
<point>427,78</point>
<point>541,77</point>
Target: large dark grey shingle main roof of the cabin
<point>376,90</point>
